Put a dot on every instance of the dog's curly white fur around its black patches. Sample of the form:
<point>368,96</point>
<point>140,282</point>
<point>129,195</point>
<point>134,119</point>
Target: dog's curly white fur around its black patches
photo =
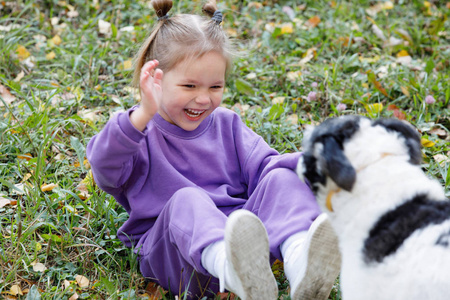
<point>385,179</point>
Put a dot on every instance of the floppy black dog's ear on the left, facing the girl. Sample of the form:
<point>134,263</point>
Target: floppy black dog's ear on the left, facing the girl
<point>337,165</point>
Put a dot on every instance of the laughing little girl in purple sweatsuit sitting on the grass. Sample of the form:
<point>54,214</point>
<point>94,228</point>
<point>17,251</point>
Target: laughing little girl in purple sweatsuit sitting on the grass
<point>210,204</point>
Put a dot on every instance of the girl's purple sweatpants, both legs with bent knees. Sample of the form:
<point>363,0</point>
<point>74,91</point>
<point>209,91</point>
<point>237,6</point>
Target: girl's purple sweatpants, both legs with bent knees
<point>171,252</point>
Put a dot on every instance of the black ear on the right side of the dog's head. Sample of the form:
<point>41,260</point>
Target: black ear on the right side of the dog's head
<point>407,131</point>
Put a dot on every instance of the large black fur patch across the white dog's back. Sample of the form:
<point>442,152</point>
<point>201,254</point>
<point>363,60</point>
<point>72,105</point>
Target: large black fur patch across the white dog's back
<point>393,228</point>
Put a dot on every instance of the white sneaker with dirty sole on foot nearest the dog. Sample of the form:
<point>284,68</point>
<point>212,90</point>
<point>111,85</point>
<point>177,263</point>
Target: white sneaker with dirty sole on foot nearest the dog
<point>318,263</point>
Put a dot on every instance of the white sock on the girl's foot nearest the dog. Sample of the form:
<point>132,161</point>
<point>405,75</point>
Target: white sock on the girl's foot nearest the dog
<point>291,249</point>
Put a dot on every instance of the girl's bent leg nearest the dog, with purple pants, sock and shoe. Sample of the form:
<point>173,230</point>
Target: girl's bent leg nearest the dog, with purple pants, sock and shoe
<point>311,256</point>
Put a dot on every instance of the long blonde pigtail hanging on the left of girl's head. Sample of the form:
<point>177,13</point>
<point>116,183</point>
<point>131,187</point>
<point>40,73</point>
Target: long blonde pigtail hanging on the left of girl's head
<point>162,8</point>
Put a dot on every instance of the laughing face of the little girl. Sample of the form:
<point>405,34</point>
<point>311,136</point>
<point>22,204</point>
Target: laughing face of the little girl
<point>192,90</point>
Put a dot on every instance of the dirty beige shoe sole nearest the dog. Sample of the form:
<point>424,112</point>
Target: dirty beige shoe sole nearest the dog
<point>324,263</point>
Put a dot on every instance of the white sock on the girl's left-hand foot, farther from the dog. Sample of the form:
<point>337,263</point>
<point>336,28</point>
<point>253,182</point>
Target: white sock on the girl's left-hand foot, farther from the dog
<point>214,260</point>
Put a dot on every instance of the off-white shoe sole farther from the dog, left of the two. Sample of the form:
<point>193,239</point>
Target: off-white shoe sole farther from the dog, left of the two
<point>247,246</point>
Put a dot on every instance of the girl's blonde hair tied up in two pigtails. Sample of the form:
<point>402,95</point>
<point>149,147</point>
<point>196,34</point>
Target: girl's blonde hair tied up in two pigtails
<point>182,36</point>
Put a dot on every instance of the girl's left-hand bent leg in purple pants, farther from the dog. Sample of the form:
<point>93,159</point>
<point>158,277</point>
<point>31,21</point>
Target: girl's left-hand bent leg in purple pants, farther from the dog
<point>171,253</point>
